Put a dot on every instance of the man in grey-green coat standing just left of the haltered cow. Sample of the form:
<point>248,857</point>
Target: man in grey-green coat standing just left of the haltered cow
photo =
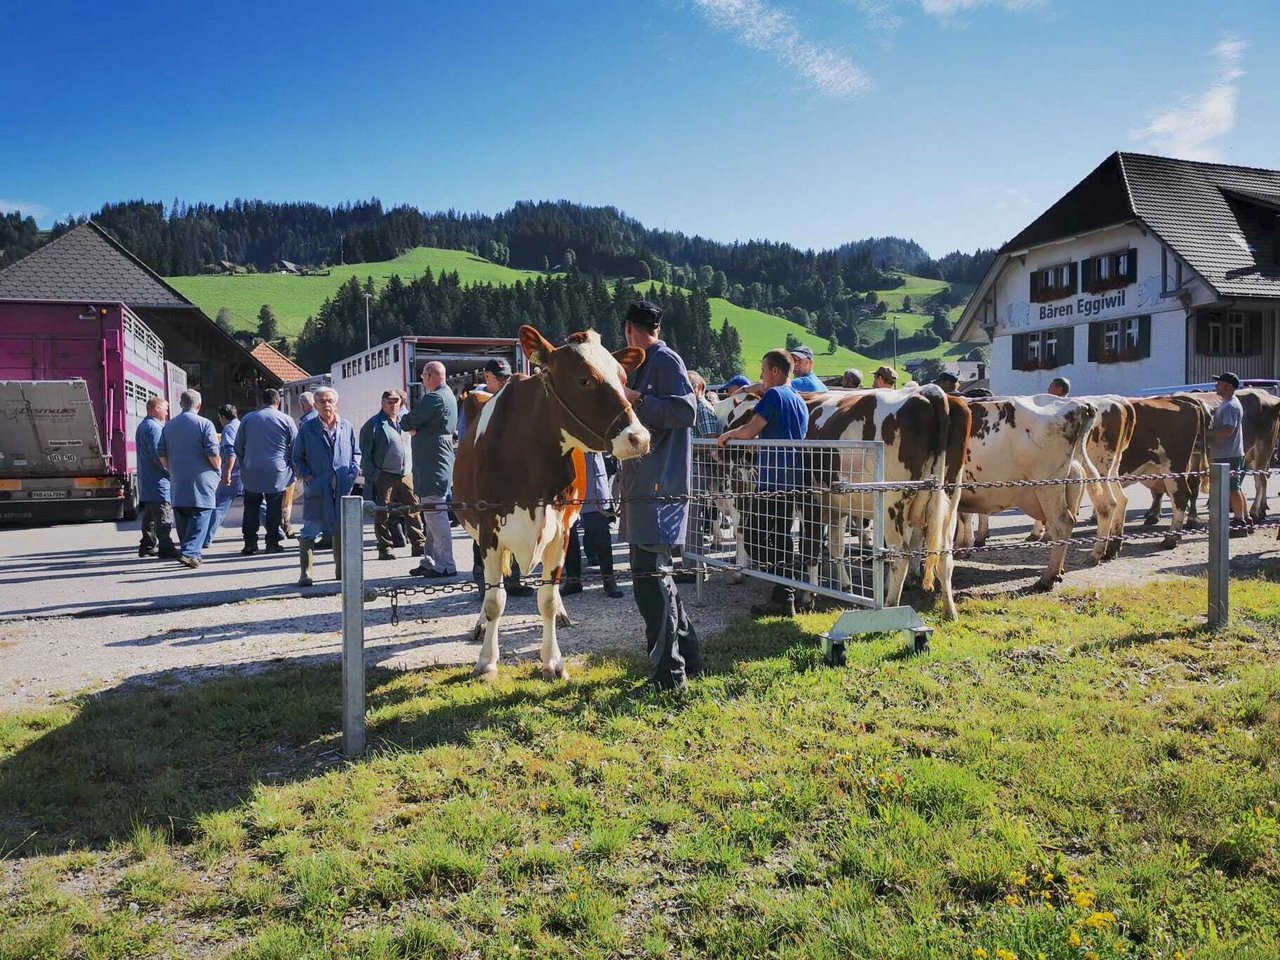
<point>433,423</point>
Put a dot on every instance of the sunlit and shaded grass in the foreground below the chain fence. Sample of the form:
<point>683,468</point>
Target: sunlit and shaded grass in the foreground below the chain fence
<point>1087,776</point>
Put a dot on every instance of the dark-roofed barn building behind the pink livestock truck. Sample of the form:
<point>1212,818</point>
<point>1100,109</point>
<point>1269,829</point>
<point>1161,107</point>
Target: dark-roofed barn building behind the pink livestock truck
<point>88,266</point>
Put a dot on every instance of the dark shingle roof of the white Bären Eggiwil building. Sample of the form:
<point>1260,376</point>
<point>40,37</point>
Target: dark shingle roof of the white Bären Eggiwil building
<point>1220,220</point>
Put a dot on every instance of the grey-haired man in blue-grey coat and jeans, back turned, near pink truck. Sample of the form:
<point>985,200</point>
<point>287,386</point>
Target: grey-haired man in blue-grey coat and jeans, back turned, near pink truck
<point>189,451</point>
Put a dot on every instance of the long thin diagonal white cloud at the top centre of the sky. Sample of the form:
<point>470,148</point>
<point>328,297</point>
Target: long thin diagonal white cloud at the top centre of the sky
<point>772,31</point>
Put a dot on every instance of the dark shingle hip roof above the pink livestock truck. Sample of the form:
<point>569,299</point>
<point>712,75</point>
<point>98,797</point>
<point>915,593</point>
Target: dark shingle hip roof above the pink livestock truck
<point>88,264</point>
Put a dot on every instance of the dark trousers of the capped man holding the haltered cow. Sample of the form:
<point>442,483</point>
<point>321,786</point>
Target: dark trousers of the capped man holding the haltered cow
<point>670,637</point>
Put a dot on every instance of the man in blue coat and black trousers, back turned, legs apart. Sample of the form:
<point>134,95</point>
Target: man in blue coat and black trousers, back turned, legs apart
<point>266,447</point>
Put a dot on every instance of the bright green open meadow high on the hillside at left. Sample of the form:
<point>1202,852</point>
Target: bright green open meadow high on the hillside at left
<point>295,299</point>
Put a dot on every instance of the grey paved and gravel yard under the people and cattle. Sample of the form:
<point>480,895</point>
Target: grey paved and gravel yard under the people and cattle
<point>122,619</point>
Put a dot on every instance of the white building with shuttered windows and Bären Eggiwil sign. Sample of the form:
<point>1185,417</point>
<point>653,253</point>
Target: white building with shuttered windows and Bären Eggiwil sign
<point>1151,272</point>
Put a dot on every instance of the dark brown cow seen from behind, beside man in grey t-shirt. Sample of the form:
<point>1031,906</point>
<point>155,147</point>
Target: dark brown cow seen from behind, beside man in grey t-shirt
<point>1169,437</point>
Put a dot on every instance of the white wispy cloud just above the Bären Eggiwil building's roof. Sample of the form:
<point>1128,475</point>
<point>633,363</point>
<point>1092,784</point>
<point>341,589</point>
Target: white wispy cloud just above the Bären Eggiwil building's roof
<point>1190,129</point>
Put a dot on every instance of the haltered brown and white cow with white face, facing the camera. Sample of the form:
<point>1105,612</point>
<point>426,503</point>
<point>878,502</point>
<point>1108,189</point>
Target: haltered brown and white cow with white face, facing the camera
<point>520,476</point>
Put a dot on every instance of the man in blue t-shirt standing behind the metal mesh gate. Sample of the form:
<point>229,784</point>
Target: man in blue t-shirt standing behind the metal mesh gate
<point>781,415</point>
